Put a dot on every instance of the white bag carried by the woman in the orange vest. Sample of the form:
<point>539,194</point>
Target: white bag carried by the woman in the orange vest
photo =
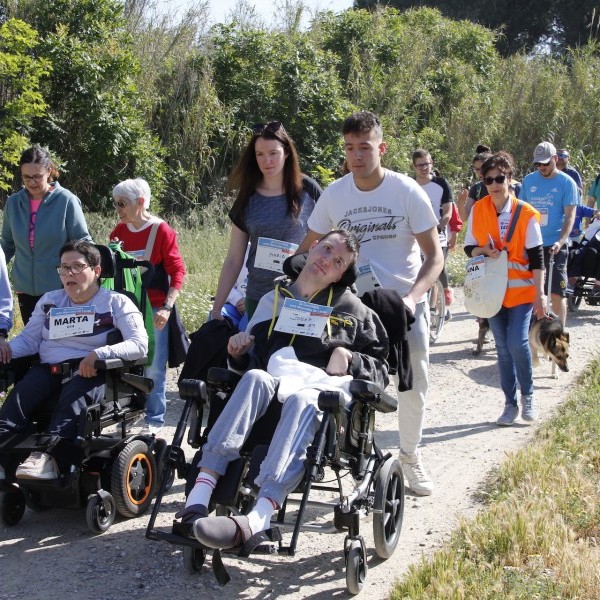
<point>485,284</point>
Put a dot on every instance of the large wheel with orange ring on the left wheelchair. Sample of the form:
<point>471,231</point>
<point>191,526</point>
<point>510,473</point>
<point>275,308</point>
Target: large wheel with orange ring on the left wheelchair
<point>133,479</point>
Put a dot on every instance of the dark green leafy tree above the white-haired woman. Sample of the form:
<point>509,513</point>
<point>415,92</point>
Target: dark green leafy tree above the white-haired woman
<point>95,123</point>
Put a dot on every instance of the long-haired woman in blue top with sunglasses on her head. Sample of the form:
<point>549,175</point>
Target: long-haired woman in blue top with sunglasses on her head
<point>271,210</point>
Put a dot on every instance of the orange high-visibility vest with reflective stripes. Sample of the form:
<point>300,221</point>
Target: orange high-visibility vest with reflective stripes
<point>520,289</point>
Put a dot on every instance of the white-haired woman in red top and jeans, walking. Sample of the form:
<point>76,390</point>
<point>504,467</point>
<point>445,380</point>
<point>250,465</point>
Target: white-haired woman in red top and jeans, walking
<point>149,238</point>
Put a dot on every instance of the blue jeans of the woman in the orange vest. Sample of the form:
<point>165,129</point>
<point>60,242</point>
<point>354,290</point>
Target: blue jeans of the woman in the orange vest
<point>511,333</point>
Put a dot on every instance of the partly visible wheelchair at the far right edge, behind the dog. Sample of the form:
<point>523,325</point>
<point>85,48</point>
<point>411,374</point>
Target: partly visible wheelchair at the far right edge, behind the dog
<point>584,264</point>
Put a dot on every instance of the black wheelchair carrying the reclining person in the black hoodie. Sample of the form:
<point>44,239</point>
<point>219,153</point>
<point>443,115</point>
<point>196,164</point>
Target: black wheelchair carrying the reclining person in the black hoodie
<point>344,445</point>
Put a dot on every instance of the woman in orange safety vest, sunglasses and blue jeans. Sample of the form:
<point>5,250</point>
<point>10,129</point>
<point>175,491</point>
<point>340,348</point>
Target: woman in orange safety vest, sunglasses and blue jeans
<point>489,222</point>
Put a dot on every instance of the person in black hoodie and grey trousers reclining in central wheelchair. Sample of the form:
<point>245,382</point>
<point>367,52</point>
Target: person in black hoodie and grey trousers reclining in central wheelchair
<point>351,342</point>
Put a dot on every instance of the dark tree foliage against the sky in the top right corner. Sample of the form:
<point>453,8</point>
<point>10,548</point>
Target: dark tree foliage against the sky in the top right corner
<point>524,24</point>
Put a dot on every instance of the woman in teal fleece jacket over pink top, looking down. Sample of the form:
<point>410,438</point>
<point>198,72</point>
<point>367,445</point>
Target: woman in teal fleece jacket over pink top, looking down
<point>38,220</point>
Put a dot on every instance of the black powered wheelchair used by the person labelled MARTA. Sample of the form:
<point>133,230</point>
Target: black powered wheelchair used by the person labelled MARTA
<point>107,473</point>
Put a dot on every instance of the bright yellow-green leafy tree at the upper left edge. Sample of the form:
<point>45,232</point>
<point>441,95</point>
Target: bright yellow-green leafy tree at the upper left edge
<point>20,97</point>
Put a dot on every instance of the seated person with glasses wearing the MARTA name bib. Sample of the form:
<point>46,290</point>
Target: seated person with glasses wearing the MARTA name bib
<point>70,325</point>
